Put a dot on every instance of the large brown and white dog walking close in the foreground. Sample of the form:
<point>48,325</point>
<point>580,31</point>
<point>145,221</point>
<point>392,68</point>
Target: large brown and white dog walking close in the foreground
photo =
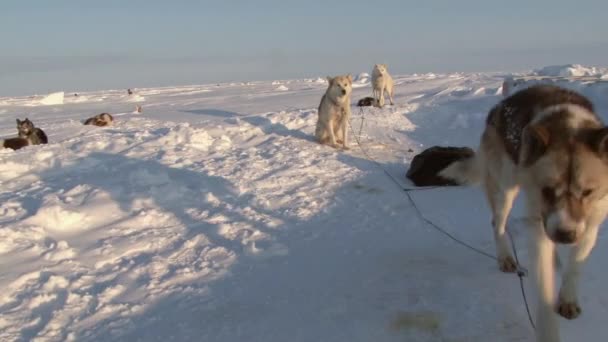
<point>549,142</point>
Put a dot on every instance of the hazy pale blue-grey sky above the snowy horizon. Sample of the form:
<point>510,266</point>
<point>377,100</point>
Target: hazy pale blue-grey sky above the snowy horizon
<point>89,45</point>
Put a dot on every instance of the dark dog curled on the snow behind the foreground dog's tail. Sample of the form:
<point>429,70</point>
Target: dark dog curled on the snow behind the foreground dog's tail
<point>425,167</point>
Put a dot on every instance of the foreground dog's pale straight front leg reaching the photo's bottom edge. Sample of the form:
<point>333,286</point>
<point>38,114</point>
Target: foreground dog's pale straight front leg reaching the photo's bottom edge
<point>543,251</point>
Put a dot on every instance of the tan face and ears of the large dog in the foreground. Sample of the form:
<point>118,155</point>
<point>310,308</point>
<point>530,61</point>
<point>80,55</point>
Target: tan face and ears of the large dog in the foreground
<point>570,180</point>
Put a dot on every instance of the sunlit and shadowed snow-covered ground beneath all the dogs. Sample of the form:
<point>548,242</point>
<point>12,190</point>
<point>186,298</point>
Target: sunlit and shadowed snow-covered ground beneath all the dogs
<point>214,216</point>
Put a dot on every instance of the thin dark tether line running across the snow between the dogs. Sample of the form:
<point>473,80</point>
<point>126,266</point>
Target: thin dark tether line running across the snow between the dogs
<point>521,271</point>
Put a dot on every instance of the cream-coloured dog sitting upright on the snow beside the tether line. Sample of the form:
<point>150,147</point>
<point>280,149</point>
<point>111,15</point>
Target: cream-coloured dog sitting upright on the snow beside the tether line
<point>334,112</point>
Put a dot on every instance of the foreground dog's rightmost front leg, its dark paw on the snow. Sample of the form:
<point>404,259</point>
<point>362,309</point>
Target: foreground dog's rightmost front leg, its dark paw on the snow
<point>567,304</point>
